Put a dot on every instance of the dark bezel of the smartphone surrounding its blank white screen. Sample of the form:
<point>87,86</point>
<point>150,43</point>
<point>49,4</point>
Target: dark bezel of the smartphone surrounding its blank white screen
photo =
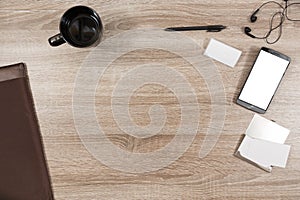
<point>251,106</point>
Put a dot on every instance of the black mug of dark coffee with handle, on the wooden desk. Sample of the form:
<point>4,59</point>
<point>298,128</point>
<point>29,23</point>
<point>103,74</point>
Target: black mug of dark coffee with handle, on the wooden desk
<point>80,26</point>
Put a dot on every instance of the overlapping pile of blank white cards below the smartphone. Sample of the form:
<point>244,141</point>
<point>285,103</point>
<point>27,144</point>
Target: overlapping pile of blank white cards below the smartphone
<point>263,144</point>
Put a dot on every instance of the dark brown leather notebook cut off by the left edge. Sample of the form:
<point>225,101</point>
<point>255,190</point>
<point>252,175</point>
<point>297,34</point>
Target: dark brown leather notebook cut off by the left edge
<point>23,169</point>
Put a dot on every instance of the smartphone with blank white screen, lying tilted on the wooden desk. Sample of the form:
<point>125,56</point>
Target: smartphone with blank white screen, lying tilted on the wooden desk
<point>263,80</point>
